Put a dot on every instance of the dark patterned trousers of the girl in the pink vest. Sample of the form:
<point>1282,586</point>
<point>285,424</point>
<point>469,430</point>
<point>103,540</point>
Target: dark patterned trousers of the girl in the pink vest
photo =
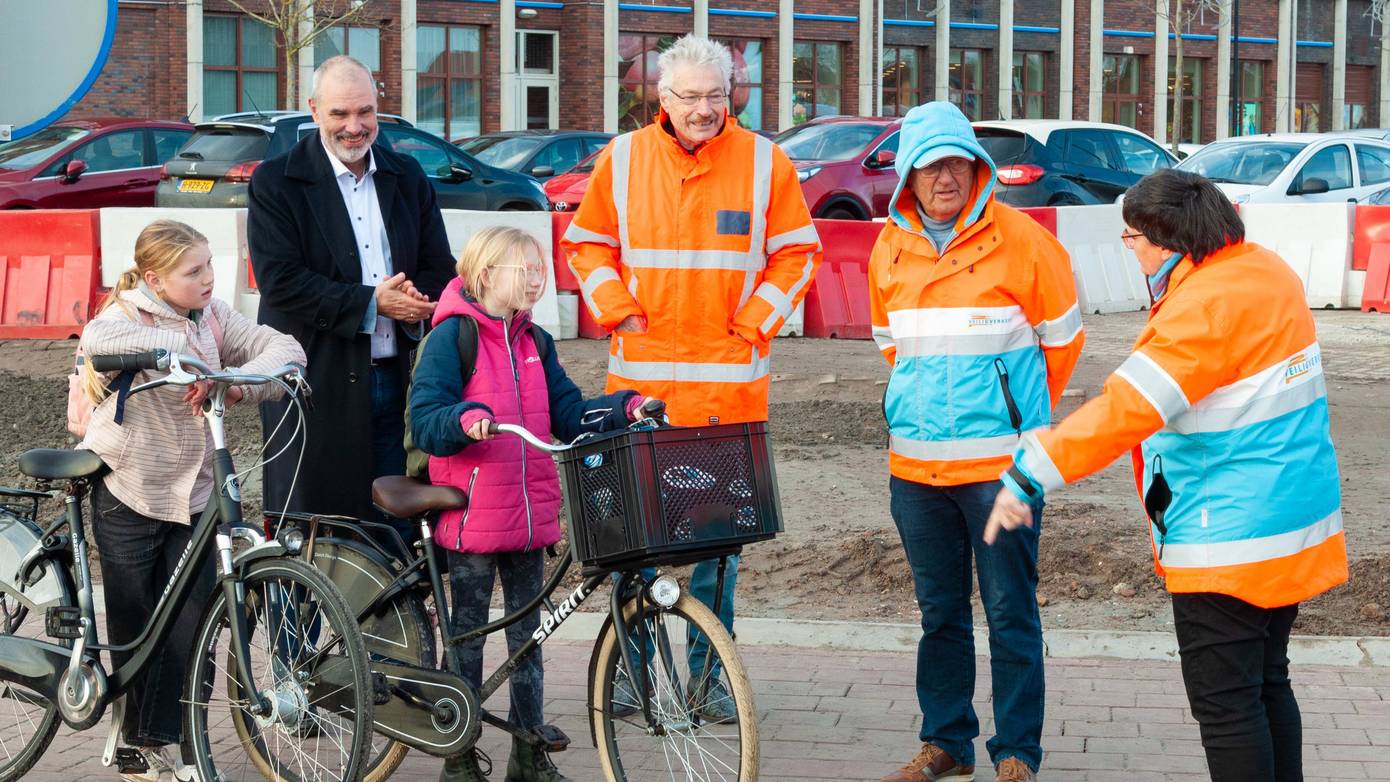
<point>471,592</point>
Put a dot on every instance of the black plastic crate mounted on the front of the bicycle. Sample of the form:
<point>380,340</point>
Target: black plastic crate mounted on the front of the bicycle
<point>669,495</point>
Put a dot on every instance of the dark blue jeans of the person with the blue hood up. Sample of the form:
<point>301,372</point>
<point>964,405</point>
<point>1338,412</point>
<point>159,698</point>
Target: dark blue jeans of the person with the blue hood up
<point>942,527</point>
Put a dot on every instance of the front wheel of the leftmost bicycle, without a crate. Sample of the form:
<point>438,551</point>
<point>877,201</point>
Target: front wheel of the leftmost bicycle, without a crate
<point>308,662</point>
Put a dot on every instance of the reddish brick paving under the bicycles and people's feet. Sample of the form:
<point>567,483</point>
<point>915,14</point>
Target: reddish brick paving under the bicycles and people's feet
<point>854,716</point>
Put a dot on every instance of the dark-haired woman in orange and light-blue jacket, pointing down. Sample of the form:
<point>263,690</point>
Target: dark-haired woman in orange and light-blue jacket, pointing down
<point>1224,408</point>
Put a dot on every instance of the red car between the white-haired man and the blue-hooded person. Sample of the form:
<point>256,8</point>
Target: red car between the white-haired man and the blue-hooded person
<point>844,165</point>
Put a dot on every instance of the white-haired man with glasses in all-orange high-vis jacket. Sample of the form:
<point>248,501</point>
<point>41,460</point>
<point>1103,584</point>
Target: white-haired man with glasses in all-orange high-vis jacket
<point>694,245</point>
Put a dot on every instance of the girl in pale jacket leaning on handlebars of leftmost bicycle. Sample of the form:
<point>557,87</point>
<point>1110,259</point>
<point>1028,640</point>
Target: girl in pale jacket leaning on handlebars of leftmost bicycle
<point>161,459</point>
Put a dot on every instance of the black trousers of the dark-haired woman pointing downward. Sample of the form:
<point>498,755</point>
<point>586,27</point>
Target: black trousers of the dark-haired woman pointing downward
<point>1236,672</point>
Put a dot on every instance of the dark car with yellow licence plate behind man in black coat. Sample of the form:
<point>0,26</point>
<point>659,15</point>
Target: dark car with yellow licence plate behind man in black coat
<point>215,167</point>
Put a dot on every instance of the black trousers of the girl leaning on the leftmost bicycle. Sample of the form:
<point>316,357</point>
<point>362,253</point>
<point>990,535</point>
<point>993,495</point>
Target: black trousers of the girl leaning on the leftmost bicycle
<point>138,555</point>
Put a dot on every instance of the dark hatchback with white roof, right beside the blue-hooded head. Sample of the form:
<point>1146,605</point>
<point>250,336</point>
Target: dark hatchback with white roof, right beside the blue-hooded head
<point>1053,163</point>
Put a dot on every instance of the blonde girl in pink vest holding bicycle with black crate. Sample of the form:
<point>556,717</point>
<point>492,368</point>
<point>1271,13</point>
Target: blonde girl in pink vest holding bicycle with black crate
<point>514,492</point>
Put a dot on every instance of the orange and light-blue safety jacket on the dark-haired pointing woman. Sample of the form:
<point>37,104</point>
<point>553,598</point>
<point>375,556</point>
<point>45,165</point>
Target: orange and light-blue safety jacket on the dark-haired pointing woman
<point>1227,399</point>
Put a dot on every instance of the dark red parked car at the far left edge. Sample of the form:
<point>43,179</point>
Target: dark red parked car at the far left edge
<point>88,163</point>
